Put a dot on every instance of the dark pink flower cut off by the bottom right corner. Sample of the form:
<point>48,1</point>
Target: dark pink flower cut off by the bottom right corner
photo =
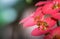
<point>54,34</point>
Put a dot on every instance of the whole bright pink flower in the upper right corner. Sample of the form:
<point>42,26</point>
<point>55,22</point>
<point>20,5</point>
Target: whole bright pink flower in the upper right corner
<point>52,8</point>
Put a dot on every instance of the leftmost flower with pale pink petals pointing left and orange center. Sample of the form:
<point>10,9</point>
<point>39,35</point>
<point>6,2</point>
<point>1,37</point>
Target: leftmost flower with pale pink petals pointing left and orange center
<point>30,20</point>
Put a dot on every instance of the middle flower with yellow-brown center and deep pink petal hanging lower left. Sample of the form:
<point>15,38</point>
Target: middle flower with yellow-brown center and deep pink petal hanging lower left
<point>44,27</point>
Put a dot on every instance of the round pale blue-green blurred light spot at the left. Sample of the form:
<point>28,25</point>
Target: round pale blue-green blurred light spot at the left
<point>9,15</point>
